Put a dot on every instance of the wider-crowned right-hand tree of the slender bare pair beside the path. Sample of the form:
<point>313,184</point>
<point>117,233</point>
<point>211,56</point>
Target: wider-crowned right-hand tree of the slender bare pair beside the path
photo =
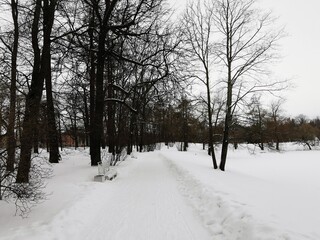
<point>246,42</point>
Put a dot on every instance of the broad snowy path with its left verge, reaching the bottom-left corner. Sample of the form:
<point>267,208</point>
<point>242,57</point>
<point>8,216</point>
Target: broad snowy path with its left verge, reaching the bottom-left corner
<point>142,203</point>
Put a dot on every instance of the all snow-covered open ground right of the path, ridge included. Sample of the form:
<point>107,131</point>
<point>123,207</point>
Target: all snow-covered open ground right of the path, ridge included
<point>267,195</point>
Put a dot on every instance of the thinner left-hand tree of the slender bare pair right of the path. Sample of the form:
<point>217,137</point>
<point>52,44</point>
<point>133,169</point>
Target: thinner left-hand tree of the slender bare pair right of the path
<point>197,26</point>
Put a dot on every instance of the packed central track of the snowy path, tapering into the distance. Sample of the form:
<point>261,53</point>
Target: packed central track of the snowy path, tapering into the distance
<point>146,204</point>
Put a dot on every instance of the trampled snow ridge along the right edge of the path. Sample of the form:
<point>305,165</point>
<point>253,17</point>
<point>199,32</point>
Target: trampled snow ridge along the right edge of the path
<point>223,221</point>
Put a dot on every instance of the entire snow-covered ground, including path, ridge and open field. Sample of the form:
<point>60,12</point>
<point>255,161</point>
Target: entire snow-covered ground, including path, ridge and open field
<point>177,195</point>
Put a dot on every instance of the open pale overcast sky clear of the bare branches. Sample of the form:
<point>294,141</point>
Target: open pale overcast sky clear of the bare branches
<point>300,51</point>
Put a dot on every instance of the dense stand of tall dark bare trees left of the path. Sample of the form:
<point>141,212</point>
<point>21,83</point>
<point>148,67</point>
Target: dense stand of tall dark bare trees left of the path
<point>93,69</point>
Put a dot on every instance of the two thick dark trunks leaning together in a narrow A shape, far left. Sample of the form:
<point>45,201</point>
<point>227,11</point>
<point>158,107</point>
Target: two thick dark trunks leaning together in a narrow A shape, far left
<point>41,73</point>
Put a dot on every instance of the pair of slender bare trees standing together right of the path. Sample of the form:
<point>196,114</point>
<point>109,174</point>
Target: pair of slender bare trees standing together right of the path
<point>236,41</point>
